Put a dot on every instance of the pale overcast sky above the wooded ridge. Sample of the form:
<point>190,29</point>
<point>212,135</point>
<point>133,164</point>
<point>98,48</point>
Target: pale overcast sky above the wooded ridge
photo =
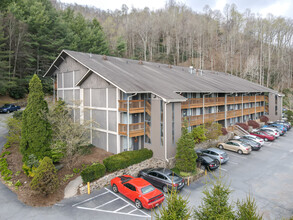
<point>276,7</point>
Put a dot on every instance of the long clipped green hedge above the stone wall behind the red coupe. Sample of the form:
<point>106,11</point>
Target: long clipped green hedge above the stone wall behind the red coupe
<point>126,159</point>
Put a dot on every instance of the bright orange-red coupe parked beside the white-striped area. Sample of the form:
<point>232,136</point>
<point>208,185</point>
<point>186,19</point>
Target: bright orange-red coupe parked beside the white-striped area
<point>144,194</point>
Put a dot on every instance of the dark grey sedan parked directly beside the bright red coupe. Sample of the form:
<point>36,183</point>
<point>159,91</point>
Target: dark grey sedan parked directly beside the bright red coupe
<point>162,178</point>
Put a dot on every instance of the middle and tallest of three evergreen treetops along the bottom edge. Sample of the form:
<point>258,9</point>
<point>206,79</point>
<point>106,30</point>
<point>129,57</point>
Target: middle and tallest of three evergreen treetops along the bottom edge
<point>215,204</point>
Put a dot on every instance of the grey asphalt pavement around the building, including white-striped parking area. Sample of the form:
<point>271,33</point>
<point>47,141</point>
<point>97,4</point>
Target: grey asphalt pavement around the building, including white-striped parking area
<point>266,174</point>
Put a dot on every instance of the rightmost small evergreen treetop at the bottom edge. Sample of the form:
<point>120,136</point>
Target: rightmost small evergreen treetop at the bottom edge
<point>247,209</point>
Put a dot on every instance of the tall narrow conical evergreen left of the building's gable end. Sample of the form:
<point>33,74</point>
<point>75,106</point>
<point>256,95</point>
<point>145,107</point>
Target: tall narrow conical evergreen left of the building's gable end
<point>36,131</point>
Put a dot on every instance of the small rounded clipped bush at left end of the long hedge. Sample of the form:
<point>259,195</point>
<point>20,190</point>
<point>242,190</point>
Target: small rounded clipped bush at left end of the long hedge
<point>93,172</point>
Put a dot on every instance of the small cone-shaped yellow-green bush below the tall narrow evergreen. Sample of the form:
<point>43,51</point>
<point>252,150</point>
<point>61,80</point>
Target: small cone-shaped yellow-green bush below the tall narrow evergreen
<point>45,180</point>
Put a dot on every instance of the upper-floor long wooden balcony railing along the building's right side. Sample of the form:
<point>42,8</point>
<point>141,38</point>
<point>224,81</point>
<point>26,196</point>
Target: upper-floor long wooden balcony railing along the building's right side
<point>216,101</point>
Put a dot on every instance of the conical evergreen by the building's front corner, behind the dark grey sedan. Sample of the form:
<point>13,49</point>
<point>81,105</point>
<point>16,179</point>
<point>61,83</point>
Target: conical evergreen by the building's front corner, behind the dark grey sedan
<point>185,153</point>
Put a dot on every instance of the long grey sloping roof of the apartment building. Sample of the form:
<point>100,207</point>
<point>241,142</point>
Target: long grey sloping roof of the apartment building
<point>165,81</point>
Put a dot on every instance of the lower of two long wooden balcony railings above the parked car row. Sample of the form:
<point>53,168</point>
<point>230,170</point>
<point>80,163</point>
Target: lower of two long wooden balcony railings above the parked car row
<point>198,119</point>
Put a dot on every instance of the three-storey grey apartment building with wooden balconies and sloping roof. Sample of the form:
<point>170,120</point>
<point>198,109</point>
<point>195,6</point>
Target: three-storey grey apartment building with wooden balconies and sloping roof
<point>139,104</point>
